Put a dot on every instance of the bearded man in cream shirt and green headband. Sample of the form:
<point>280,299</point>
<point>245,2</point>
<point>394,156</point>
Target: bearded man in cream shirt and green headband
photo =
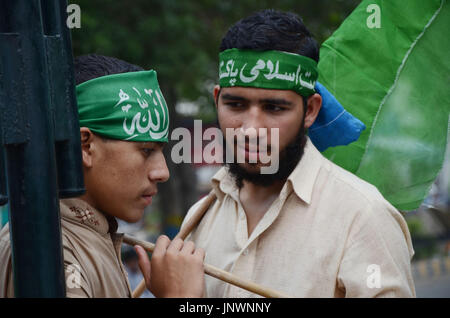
<point>311,229</point>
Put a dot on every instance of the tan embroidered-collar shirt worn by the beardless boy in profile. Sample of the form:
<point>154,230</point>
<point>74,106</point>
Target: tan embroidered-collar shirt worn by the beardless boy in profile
<point>91,254</point>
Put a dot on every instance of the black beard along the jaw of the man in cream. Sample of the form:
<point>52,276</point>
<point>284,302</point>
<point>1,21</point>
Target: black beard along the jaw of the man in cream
<point>289,158</point>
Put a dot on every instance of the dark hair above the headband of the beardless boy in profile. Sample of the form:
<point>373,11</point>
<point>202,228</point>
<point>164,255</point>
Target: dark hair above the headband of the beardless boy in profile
<point>90,66</point>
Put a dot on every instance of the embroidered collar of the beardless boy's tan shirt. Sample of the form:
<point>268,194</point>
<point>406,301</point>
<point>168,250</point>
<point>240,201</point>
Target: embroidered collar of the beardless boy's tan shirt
<point>81,212</point>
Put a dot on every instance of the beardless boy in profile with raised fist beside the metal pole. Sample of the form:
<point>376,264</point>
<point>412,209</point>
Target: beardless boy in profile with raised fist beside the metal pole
<point>124,126</point>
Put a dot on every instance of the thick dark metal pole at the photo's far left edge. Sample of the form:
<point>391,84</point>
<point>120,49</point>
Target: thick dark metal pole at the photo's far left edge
<point>30,153</point>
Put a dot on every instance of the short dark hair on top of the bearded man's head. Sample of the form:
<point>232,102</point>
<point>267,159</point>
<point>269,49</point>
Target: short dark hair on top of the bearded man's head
<point>272,30</point>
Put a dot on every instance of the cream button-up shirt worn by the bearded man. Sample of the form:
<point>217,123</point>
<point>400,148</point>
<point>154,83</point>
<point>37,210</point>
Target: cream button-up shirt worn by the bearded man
<point>328,234</point>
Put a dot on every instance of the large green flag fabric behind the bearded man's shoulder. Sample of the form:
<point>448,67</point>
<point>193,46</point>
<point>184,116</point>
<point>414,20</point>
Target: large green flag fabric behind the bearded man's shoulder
<point>389,65</point>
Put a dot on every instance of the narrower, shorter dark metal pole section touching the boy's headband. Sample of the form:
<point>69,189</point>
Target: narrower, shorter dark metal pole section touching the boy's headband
<point>63,101</point>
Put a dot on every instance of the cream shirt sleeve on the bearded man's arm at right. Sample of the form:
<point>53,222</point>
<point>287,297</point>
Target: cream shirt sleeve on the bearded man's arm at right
<point>377,257</point>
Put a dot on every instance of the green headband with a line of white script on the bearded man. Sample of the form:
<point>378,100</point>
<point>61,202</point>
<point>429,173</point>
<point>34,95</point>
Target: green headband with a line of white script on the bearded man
<point>268,69</point>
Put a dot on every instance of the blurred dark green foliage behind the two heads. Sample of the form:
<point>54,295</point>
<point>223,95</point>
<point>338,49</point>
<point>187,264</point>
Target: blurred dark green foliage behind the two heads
<point>180,39</point>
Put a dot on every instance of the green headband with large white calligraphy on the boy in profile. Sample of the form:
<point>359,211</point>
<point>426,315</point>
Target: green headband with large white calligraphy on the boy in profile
<point>126,106</point>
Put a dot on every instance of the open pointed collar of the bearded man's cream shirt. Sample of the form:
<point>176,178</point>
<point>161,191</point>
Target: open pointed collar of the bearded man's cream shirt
<point>301,180</point>
